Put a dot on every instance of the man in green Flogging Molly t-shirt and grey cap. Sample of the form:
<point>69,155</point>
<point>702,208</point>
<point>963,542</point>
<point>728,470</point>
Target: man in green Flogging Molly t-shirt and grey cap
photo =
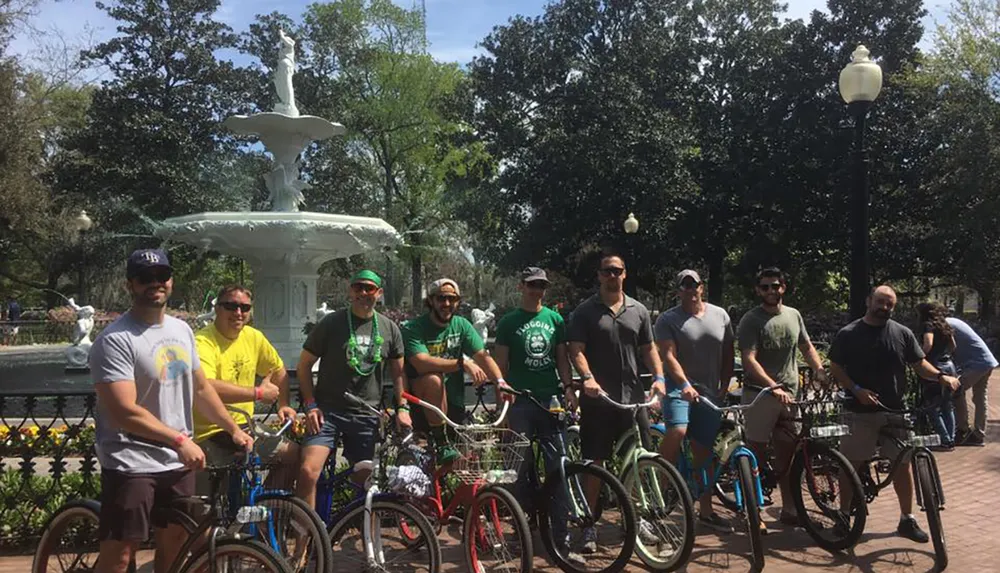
<point>531,352</point>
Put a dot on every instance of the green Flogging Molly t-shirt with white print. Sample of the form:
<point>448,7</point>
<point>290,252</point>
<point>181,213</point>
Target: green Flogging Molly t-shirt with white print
<point>532,339</point>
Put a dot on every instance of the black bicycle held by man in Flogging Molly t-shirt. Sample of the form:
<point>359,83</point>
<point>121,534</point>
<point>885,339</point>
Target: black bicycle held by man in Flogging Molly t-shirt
<point>565,483</point>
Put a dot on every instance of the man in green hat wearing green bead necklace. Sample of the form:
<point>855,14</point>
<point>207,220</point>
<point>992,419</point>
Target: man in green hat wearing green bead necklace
<point>356,344</point>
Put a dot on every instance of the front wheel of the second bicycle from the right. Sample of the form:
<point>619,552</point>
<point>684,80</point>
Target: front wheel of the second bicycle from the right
<point>858,510</point>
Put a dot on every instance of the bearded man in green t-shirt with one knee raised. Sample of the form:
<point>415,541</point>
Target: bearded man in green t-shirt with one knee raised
<point>436,345</point>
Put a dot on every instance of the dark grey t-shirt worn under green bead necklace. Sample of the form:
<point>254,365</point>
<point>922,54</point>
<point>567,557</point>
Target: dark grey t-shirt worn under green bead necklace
<point>328,340</point>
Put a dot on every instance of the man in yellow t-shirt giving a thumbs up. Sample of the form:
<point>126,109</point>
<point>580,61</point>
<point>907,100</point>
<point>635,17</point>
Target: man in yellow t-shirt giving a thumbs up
<point>233,354</point>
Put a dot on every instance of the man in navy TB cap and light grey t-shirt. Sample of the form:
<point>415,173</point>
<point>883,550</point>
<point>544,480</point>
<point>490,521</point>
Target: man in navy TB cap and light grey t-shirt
<point>148,381</point>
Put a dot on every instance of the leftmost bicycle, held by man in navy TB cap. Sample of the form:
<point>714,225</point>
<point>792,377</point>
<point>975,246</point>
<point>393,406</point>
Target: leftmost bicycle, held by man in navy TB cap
<point>208,539</point>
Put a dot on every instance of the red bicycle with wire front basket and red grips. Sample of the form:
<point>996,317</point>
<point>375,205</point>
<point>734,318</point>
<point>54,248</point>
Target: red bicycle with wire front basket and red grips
<point>489,456</point>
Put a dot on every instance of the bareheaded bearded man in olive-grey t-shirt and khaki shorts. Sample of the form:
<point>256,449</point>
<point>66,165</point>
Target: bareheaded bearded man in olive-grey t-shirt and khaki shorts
<point>768,337</point>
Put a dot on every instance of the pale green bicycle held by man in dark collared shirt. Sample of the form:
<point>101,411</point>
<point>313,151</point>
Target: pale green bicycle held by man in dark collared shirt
<point>663,540</point>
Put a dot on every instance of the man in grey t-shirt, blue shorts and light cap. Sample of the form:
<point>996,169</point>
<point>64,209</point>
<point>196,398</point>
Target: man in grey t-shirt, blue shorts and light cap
<point>695,339</point>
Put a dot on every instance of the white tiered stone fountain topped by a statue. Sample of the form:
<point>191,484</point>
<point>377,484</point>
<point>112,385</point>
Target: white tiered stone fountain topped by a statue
<point>284,246</point>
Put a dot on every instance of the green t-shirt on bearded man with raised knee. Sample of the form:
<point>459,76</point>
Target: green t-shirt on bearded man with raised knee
<point>422,336</point>
